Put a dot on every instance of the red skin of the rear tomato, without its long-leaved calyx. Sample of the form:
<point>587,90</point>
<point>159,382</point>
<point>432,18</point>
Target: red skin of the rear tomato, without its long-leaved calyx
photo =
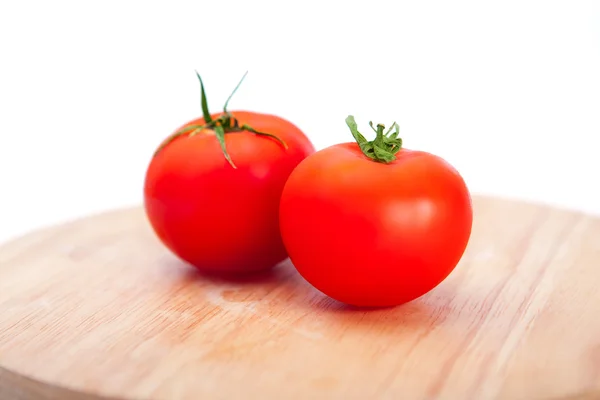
<point>217,218</point>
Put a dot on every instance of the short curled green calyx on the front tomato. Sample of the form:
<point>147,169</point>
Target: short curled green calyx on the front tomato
<point>385,145</point>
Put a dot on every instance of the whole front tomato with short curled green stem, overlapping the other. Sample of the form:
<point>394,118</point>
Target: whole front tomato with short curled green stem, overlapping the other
<point>372,223</point>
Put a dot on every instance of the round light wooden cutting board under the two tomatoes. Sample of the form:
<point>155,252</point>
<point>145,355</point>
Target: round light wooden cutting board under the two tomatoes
<point>98,307</point>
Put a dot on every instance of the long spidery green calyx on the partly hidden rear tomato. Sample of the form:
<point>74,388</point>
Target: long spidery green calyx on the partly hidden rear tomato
<point>225,123</point>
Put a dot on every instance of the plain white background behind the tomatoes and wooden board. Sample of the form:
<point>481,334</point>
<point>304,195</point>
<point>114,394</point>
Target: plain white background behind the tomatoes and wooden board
<point>507,91</point>
